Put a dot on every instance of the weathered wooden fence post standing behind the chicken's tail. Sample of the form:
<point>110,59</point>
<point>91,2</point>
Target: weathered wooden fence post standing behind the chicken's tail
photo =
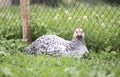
<point>25,10</point>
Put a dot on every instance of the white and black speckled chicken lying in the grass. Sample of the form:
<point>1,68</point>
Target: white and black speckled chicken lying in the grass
<point>55,45</point>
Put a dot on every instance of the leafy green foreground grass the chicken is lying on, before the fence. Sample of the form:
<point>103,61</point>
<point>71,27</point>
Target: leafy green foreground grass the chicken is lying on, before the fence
<point>15,63</point>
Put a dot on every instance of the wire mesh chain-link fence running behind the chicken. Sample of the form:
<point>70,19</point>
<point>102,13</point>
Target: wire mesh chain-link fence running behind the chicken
<point>99,19</point>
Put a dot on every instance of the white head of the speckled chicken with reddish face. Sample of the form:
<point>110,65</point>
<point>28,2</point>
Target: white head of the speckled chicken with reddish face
<point>78,34</point>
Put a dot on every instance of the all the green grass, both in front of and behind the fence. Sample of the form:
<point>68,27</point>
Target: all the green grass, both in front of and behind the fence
<point>100,22</point>
